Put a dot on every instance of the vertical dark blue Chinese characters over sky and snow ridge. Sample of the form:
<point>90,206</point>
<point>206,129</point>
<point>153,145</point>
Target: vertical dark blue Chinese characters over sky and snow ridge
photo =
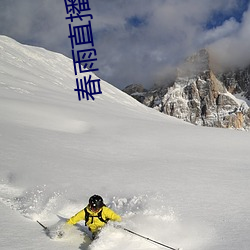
<point>83,59</point>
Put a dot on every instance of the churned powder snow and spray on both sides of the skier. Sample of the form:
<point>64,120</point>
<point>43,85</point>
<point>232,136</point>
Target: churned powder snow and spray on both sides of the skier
<point>145,214</point>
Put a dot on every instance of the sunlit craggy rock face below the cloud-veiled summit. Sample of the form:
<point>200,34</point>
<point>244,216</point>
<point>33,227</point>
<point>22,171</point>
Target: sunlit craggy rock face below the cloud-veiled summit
<point>205,102</point>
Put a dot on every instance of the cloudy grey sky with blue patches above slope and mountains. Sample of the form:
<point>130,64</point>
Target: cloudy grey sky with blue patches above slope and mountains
<point>137,41</point>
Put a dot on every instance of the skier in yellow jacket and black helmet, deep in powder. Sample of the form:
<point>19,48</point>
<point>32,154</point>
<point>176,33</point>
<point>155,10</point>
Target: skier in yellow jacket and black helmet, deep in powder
<point>96,215</point>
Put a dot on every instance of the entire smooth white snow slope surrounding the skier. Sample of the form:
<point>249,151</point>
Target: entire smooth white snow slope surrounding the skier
<point>176,183</point>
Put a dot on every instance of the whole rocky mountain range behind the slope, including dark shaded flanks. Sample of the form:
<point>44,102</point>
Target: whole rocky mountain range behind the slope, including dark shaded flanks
<point>201,96</point>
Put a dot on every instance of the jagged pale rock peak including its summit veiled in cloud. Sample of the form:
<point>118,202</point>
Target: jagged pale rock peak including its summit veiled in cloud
<point>197,96</point>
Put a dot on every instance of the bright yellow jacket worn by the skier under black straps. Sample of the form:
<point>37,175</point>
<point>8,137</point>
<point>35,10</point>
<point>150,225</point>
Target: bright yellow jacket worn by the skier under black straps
<point>94,223</point>
